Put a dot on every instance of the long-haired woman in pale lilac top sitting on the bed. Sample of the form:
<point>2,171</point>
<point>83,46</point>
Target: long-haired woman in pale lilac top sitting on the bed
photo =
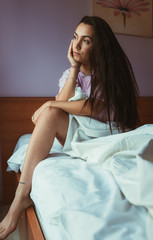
<point>100,67</point>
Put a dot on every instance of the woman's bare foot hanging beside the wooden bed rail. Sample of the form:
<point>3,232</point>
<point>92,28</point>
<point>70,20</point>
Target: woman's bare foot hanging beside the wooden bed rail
<point>10,222</point>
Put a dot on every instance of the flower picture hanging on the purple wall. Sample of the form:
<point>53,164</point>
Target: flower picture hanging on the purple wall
<point>132,17</point>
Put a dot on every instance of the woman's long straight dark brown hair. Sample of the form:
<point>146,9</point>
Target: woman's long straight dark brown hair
<point>112,80</point>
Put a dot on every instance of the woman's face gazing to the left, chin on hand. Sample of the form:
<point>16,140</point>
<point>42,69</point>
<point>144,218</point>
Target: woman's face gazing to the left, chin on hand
<point>82,43</point>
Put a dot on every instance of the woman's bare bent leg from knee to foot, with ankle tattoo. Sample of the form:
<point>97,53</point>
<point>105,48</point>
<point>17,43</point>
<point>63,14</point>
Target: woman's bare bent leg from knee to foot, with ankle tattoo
<point>52,123</point>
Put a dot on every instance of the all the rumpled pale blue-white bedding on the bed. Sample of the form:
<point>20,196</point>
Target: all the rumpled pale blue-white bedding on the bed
<point>101,190</point>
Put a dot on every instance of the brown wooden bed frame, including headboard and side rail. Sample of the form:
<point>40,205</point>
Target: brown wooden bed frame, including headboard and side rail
<point>15,120</point>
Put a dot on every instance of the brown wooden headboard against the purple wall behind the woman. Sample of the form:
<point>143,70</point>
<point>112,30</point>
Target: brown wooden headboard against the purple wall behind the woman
<point>15,120</point>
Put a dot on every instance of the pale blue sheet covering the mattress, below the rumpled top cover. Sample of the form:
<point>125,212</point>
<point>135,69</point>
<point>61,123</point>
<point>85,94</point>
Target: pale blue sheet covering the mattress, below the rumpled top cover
<point>75,199</point>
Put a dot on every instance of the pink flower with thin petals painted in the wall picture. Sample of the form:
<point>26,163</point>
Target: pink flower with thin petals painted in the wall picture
<point>125,7</point>
